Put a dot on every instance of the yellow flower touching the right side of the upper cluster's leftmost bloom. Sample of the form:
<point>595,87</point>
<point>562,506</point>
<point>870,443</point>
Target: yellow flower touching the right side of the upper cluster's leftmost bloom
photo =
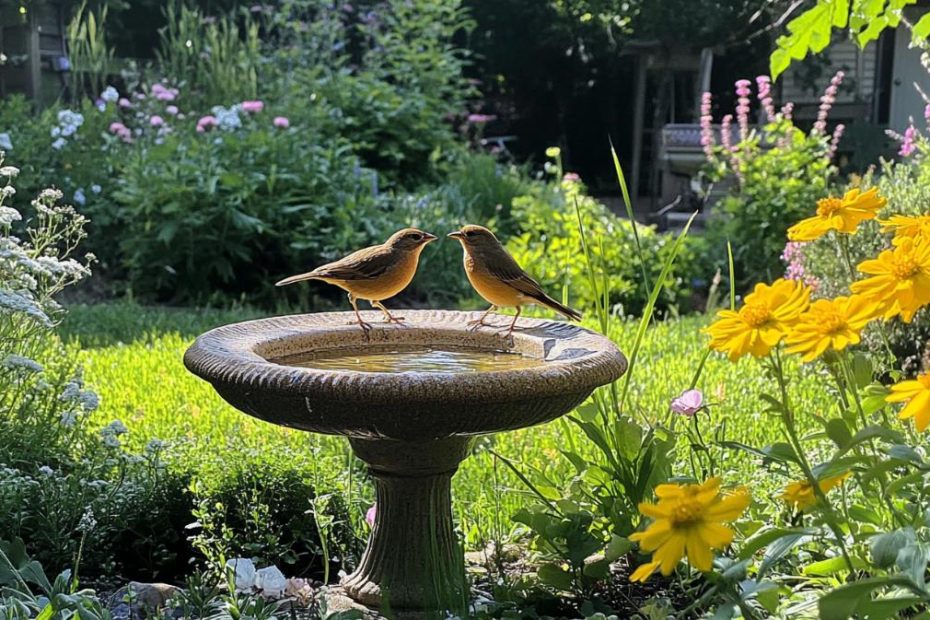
<point>830,324</point>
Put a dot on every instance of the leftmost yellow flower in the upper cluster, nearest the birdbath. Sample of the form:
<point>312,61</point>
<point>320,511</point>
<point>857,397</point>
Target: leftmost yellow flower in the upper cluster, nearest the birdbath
<point>763,320</point>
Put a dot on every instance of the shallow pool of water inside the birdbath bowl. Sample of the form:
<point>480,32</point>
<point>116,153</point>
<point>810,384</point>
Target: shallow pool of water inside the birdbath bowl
<point>408,359</point>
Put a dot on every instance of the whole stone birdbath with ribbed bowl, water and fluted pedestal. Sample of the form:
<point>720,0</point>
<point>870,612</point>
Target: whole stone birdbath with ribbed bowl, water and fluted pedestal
<point>410,399</point>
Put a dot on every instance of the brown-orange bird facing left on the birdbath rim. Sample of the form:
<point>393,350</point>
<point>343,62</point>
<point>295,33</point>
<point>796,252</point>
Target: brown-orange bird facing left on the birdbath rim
<point>498,278</point>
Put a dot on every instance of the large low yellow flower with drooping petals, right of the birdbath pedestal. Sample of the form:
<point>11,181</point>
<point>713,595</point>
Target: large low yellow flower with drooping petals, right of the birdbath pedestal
<point>688,520</point>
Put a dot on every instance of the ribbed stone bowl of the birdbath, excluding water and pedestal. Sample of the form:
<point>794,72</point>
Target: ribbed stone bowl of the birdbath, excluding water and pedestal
<point>238,360</point>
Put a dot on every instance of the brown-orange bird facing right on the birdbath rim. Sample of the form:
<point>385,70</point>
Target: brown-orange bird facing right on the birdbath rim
<point>375,273</point>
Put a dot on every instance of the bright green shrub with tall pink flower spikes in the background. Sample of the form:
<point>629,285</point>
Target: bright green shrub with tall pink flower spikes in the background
<point>778,173</point>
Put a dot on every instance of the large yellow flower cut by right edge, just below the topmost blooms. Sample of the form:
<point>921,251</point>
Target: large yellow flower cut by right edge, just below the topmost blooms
<point>900,281</point>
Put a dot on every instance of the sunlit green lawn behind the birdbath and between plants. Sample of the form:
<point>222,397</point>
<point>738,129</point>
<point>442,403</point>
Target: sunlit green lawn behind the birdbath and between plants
<point>133,358</point>
